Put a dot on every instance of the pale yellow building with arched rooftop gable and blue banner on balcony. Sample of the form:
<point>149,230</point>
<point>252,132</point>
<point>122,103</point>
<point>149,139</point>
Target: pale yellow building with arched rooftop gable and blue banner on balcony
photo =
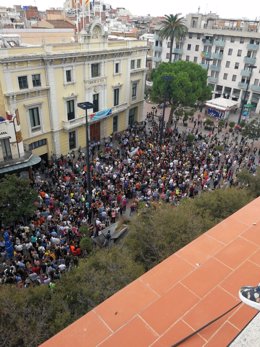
<point>45,84</point>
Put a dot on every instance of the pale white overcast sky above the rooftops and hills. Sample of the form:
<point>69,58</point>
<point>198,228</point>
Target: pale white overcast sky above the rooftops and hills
<point>249,9</point>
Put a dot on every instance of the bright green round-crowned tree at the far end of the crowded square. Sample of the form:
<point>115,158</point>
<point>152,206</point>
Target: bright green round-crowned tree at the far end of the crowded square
<point>182,83</point>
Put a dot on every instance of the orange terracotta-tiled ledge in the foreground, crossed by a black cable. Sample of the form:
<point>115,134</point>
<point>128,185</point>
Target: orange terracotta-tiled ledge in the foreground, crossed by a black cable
<point>181,294</point>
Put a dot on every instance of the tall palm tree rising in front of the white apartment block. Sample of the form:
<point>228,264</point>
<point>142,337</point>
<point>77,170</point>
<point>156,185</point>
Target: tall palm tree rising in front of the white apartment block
<point>173,27</point>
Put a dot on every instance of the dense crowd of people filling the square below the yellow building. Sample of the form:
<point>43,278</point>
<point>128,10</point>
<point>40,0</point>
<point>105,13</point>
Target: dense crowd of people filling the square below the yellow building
<point>132,167</point>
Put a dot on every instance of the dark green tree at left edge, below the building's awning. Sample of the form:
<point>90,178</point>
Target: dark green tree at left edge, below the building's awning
<point>16,199</point>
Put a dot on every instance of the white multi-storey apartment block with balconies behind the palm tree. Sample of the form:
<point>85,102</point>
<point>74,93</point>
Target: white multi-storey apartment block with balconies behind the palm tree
<point>227,48</point>
